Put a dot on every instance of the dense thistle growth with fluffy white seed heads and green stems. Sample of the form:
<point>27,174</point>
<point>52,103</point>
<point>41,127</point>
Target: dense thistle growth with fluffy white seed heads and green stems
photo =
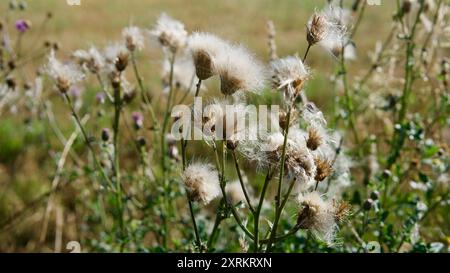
<point>191,165</point>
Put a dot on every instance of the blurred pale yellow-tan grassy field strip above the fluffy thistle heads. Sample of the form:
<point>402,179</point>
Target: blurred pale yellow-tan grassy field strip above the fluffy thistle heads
<point>96,22</point>
